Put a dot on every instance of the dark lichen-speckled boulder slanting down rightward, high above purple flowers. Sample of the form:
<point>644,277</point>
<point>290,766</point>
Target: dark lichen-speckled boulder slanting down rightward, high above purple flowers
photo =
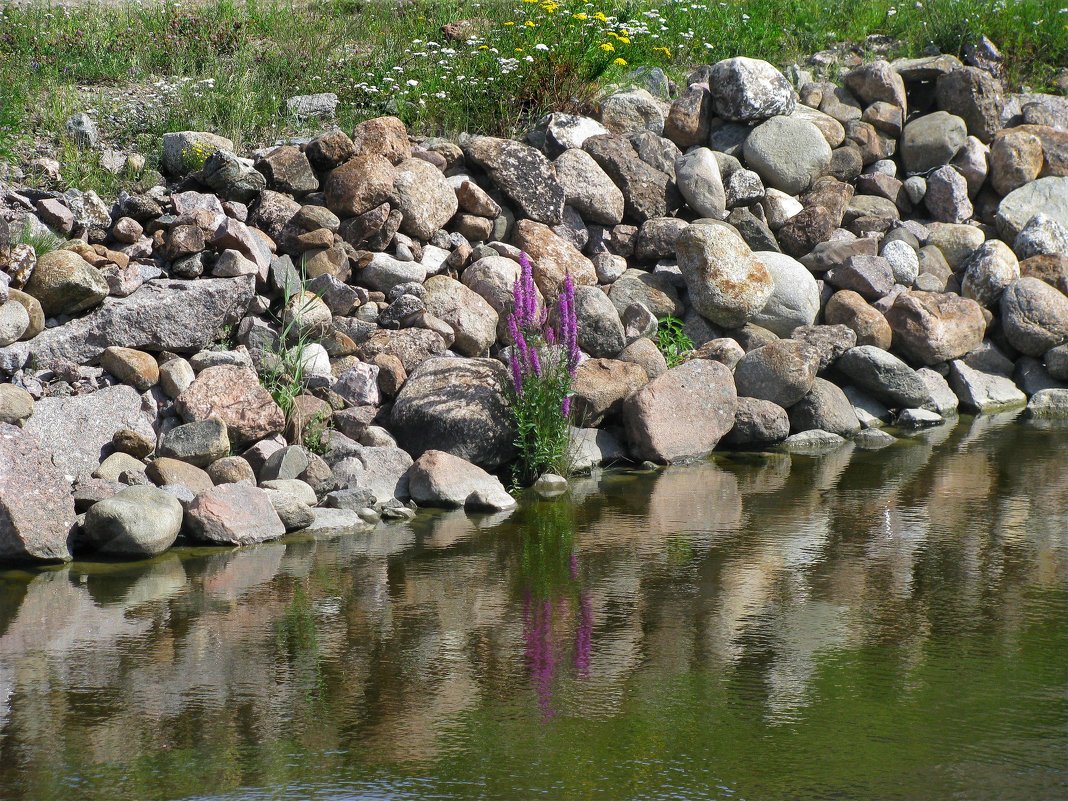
<point>523,174</point>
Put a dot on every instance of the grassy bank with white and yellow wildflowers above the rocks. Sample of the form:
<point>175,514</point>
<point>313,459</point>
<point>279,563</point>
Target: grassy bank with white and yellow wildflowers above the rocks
<point>148,69</point>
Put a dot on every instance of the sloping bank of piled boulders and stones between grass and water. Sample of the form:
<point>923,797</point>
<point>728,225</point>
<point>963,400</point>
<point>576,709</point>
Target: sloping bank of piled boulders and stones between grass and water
<point>888,250</point>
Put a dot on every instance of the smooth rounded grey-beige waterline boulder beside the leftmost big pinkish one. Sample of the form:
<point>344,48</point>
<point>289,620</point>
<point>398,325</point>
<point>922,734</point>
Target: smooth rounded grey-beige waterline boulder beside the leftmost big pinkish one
<point>136,523</point>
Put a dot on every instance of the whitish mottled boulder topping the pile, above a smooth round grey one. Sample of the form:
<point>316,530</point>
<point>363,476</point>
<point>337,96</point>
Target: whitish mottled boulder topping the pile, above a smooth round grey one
<point>748,90</point>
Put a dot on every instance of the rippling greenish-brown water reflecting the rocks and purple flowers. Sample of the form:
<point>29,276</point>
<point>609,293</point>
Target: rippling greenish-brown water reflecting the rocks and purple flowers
<point>888,625</point>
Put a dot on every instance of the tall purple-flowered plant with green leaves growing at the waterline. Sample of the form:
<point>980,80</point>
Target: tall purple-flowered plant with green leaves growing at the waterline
<point>544,359</point>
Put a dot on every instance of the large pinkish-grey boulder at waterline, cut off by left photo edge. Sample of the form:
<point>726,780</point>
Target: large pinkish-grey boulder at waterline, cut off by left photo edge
<point>37,508</point>
